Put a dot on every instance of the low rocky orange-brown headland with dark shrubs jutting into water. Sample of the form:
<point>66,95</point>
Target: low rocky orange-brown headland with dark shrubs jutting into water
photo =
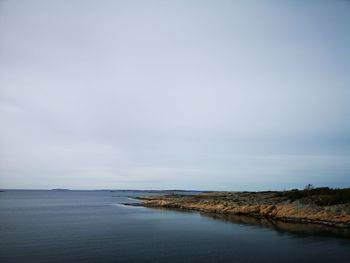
<point>312,205</point>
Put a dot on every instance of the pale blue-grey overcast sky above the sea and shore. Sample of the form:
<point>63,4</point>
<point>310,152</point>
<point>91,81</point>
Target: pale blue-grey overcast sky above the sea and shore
<point>206,95</point>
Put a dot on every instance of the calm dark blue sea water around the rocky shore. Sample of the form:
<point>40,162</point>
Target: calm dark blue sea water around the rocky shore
<point>93,226</point>
